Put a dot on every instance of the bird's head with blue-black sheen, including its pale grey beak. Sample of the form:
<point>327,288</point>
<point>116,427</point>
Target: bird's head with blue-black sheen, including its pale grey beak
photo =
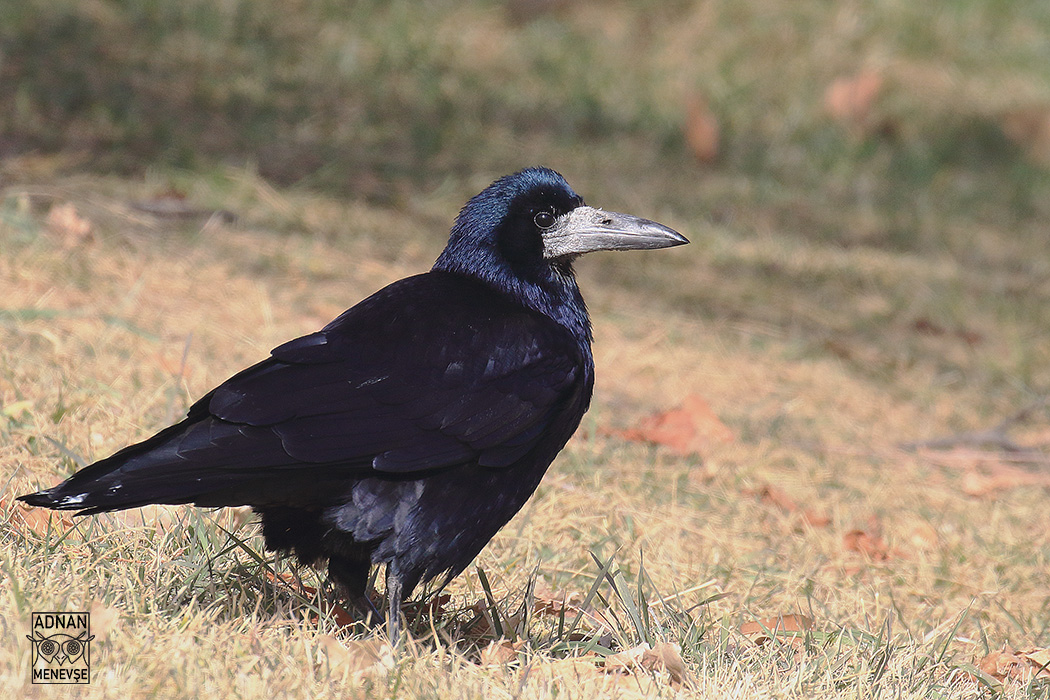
<point>533,225</point>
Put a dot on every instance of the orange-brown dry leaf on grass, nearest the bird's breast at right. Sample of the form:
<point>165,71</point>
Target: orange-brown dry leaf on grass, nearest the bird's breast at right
<point>692,429</point>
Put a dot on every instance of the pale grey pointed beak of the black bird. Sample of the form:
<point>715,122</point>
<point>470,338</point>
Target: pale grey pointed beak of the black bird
<point>586,229</point>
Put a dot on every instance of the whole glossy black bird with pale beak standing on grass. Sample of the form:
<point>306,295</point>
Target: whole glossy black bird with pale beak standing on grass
<point>411,429</point>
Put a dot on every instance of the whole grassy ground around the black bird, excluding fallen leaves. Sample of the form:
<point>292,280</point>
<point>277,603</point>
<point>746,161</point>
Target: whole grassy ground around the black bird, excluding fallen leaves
<point>845,293</point>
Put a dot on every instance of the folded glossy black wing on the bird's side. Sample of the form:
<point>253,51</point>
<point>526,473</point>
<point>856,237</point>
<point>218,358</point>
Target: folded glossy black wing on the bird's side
<point>432,372</point>
